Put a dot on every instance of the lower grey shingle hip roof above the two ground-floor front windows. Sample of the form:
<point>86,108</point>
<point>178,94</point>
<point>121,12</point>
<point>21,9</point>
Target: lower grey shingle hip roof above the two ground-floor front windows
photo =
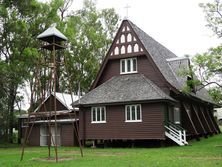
<point>124,88</point>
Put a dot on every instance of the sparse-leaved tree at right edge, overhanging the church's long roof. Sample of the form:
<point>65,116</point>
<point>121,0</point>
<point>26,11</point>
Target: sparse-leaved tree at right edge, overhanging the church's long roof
<point>208,65</point>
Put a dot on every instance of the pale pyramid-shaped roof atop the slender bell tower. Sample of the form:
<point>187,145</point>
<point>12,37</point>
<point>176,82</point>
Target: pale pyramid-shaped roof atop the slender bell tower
<point>51,32</point>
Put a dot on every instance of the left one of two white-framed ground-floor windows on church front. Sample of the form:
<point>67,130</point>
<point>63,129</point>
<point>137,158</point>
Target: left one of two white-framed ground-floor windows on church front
<point>98,115</point>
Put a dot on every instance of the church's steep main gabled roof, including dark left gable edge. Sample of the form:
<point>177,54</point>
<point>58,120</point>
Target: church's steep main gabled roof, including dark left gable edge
<point>159,55</point>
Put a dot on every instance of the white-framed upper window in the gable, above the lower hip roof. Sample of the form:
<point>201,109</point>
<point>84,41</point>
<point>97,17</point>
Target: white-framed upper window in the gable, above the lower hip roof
<point>128,65</point>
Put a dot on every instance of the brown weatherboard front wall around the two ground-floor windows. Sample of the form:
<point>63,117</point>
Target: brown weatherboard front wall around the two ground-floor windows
<point>151,127</point>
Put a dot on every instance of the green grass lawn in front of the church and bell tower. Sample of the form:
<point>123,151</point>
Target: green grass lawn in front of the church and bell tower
<point>207,152</point>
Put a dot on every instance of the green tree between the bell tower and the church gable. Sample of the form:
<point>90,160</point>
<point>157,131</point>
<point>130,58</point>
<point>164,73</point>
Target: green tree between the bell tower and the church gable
<point>90,32</point>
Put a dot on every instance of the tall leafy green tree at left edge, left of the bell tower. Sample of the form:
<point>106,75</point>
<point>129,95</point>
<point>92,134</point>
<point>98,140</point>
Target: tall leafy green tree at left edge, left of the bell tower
<point>20,23</point>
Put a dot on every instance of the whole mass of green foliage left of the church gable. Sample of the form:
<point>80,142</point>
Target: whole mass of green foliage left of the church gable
<point>21,62</point>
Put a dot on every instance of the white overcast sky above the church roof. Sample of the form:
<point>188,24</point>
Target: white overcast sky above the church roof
<point>177,24</point>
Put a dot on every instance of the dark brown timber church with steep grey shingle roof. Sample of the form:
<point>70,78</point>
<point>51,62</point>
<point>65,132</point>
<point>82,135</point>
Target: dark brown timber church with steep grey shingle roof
<point>137,95</point>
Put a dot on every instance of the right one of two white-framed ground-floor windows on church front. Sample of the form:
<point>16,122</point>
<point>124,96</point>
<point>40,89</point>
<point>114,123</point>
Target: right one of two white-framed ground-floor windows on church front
<point>133,113</point>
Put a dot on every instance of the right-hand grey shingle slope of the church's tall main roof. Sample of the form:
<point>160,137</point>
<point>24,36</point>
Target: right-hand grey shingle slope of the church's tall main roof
<point>160,54</point>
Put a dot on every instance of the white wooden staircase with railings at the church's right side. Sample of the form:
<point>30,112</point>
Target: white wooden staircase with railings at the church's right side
<point>176,133</point>
